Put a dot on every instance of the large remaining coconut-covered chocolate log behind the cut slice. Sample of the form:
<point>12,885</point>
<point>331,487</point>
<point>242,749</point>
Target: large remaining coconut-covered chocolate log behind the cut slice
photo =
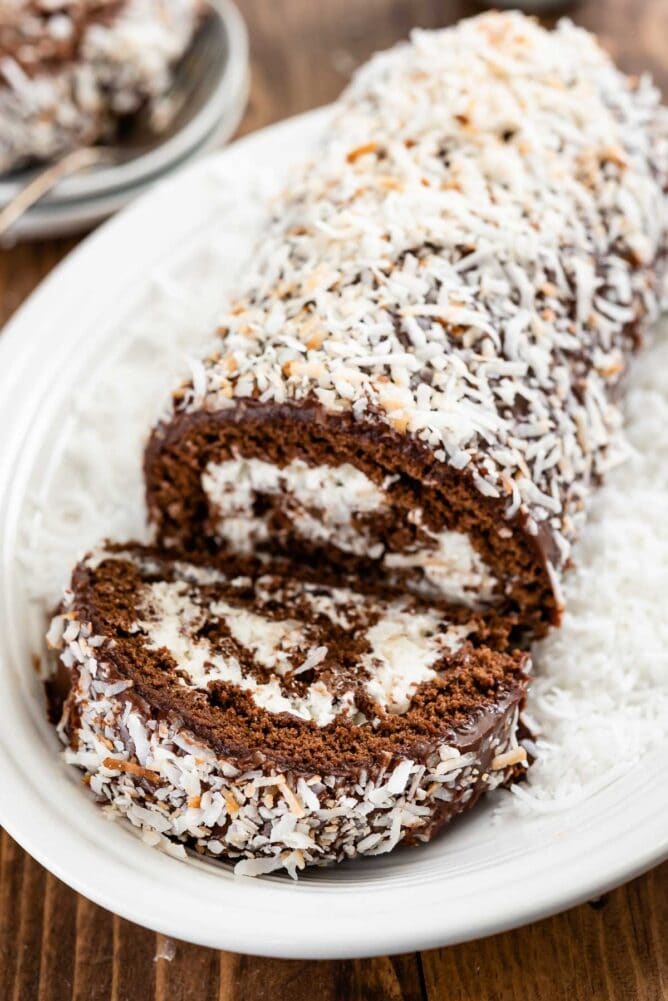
<point>419,379</point>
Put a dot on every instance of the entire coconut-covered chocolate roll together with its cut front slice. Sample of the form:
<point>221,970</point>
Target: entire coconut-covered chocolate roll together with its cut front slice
<point>368,495</point>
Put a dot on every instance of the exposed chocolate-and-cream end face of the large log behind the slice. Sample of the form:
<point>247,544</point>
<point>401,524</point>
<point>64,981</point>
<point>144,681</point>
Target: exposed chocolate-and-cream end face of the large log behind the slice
<point>355,495</point>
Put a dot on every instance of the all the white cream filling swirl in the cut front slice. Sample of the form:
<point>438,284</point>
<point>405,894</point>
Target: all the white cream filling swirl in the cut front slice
<point>405,646</point>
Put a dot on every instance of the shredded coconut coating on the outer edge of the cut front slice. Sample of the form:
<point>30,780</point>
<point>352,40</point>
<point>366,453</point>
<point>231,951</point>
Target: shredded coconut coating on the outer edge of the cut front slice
<point>268,821</point>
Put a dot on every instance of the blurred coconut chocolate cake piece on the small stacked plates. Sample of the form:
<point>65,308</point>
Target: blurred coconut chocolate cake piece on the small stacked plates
<point>72,70</point>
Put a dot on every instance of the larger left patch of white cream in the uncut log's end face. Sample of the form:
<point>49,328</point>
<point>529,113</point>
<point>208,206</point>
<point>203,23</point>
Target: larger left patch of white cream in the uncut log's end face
<point>337,493</point>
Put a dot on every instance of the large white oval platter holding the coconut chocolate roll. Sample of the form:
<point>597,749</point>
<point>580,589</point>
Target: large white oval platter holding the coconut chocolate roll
<point>479,878</point>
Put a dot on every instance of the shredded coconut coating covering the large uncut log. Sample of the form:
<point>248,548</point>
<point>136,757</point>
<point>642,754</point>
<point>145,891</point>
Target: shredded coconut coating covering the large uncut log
<point>466,261</point>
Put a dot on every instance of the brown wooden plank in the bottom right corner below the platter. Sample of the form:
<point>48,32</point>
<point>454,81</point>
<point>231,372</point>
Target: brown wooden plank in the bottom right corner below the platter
<point>612,950</point>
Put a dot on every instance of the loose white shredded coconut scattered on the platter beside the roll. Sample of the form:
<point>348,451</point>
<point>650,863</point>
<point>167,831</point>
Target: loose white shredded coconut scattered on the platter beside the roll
<point>600,698</point>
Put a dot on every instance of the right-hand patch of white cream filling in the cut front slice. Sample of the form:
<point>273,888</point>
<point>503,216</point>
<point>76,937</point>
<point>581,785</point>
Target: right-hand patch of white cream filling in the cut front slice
<point>405,645</point>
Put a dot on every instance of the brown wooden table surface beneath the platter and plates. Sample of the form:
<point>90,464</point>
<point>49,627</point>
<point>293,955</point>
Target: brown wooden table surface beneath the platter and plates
<point>57,946</point>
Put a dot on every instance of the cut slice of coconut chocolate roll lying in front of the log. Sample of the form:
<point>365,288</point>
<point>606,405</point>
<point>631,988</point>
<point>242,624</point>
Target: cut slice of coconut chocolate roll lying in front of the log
<point>274,721</point>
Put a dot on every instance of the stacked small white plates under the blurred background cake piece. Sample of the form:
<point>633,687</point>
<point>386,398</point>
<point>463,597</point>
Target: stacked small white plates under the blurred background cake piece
<point>209,118</point>
